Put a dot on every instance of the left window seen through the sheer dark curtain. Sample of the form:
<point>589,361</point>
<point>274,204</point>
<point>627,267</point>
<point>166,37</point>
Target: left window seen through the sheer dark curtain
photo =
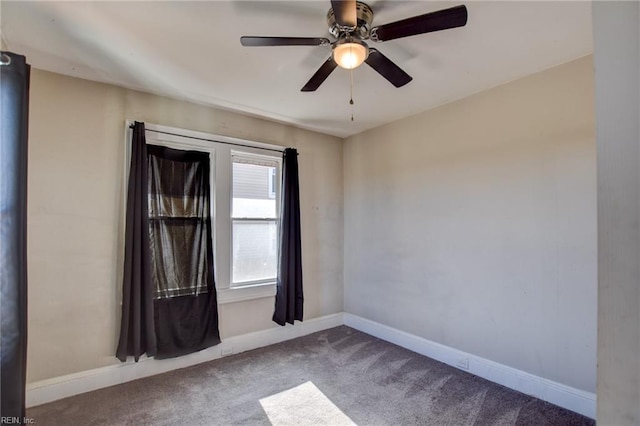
<point>179,222</point>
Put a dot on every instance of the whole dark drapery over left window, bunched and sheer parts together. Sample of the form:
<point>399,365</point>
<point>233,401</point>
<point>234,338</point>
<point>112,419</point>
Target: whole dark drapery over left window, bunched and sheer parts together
<point>169,305</point>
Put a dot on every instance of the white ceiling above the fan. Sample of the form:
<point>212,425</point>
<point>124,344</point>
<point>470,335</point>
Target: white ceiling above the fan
<point>192,51</point>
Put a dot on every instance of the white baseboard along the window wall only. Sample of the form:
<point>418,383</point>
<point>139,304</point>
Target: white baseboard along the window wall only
<point>85,381</point>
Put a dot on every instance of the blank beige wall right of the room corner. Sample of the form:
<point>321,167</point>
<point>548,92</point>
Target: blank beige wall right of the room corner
<point>474,225</point>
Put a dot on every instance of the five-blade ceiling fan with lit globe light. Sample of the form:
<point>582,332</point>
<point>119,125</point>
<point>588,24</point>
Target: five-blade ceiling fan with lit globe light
<point>350,23</point>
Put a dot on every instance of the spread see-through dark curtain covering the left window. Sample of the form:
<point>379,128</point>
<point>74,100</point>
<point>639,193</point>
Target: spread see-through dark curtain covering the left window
<point>185,306</point>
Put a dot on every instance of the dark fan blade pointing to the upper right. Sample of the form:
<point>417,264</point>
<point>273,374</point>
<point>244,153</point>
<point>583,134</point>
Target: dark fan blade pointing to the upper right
<point>429,22</point>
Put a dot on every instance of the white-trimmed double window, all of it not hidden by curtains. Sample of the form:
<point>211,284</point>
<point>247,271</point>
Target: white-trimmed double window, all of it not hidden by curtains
<point>244,184</point>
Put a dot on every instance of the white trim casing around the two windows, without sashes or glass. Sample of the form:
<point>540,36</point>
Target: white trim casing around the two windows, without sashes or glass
<point>221,197</point>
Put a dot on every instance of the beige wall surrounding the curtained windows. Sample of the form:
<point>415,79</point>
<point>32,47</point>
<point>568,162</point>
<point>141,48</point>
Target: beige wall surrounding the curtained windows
<point>75,216</point>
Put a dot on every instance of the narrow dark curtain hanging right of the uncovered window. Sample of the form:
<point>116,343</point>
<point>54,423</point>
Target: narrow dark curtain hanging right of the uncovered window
<point>289,297</point>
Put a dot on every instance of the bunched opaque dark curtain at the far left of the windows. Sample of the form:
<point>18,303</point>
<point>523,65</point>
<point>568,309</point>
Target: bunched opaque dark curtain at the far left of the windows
<point>137,331</point>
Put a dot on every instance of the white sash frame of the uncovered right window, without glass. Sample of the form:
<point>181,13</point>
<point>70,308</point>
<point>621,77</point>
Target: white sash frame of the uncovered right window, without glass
<point>277,164</point>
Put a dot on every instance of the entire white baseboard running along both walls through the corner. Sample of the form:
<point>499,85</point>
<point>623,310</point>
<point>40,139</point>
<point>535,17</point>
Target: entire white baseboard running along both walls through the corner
<point>556,393</point>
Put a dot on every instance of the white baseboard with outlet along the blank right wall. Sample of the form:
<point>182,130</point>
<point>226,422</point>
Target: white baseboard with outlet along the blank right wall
<point>547,390</point>
